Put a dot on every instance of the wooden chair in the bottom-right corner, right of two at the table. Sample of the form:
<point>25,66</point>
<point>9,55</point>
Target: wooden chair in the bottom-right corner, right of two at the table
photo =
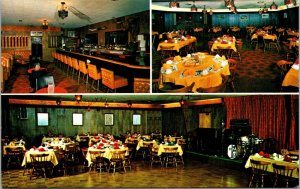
<point>283,173</point>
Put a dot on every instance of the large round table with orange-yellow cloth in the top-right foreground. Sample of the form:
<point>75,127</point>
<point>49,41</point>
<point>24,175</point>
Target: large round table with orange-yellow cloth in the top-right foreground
<point>205,74</point>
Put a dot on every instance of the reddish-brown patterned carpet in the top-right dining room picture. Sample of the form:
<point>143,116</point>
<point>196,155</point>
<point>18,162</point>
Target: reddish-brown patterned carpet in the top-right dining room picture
<point>256,73</point>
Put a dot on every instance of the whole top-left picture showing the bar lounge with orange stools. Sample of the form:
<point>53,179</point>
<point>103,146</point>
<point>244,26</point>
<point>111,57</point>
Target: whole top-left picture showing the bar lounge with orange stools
<point>75,47</point>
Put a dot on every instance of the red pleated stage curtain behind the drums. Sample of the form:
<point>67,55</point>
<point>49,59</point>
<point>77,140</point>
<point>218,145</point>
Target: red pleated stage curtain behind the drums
<point>270,116</point>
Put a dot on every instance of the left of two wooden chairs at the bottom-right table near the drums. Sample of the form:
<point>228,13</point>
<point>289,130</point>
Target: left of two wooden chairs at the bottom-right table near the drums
<point>259,171</point>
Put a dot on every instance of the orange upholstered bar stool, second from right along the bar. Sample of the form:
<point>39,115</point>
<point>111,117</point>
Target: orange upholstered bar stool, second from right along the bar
<point>112,81</point>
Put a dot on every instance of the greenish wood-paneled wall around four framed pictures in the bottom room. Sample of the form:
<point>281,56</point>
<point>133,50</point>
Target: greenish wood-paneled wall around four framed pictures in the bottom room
<point>60,122</point>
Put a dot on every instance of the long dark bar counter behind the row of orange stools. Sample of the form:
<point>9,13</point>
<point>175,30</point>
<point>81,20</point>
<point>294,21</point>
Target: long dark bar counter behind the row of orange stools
<point>130,71</point>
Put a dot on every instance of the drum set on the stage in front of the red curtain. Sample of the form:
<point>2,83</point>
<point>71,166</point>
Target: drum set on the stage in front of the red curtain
<point>243,146</point>
